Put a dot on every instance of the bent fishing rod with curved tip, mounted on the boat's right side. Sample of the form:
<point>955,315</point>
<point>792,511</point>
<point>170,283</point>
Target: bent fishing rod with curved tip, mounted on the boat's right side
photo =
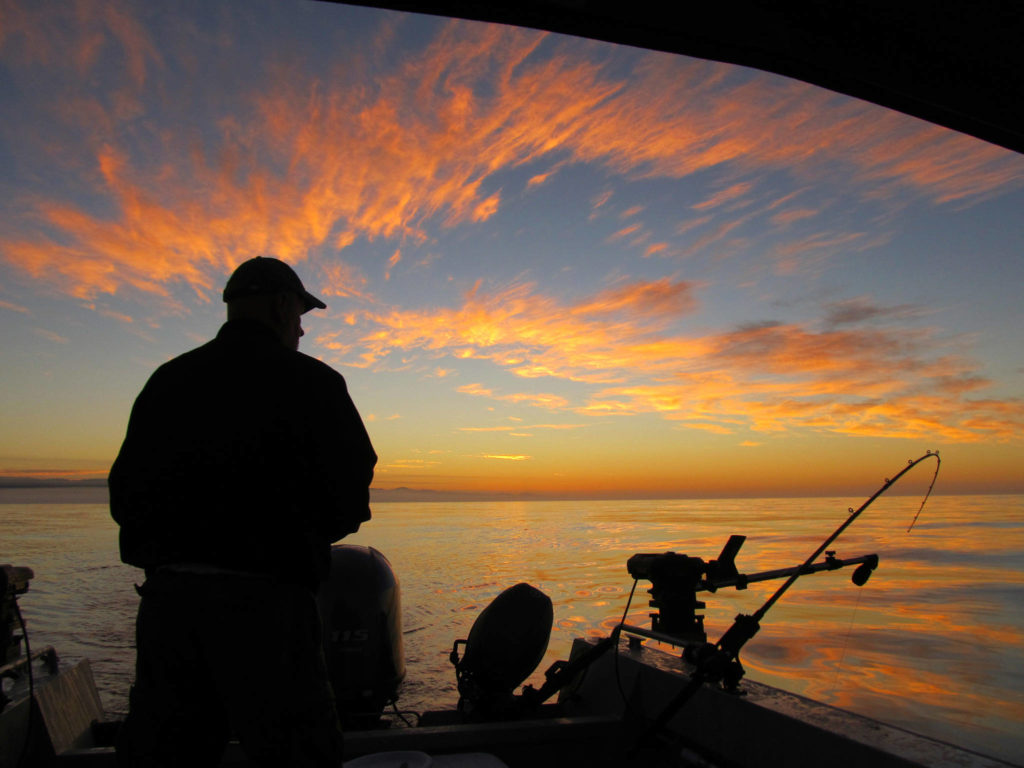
<point>721,660</point>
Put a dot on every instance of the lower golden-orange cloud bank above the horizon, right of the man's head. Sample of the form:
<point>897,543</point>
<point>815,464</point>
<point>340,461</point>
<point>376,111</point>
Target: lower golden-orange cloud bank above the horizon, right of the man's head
<point>851,376</point>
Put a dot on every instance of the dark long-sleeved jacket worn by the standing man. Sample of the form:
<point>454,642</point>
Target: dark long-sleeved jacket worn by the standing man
<point>243,455</point>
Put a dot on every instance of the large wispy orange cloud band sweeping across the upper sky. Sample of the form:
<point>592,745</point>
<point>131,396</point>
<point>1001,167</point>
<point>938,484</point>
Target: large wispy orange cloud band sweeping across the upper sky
<point>306,160</point>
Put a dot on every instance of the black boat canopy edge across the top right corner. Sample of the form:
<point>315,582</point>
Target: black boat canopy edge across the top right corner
<point>958,64</point>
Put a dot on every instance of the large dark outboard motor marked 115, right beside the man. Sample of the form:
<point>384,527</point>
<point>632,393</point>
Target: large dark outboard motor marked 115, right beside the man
<point>361,607</point>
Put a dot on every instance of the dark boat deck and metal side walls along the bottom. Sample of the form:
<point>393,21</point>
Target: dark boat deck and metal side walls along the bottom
<point>603,720</point>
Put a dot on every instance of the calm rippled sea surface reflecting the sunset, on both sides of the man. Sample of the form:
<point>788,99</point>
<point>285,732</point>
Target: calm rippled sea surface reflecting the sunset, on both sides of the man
<point>934,643</point>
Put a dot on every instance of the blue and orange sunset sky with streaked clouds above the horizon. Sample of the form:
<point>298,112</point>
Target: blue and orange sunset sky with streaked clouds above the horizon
<point>552,266</point>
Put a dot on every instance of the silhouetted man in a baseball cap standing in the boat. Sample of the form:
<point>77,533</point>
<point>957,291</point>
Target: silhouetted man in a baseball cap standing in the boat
<point>243,461</point>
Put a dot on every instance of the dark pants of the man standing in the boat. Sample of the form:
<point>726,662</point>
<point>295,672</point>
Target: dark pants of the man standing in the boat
<point>229,656</point>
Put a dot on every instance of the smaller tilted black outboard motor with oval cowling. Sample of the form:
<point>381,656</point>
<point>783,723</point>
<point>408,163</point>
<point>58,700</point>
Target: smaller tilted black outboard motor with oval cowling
<point>506,644</point>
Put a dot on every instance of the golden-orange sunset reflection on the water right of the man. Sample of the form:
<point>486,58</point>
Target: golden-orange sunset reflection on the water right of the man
<point>933,642</point>
